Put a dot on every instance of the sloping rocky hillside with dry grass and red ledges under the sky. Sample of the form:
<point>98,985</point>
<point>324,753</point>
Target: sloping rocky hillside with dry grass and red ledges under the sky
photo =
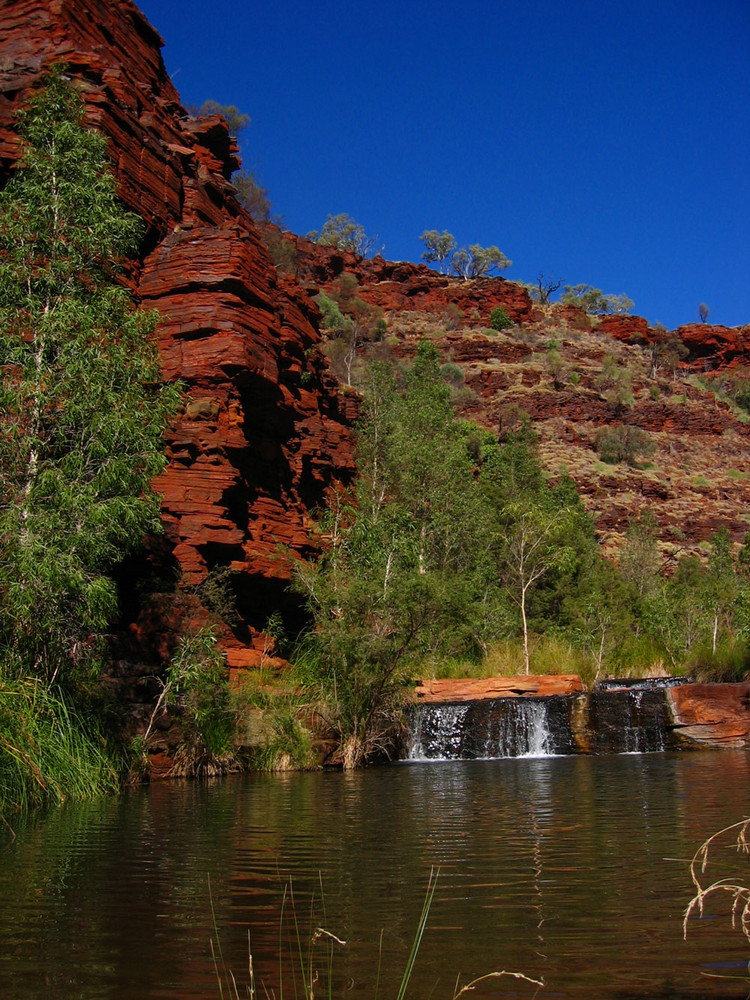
<point>577,375</point>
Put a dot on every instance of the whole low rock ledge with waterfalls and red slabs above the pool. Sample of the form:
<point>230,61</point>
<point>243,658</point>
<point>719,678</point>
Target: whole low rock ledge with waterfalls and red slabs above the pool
<point>462,720</point>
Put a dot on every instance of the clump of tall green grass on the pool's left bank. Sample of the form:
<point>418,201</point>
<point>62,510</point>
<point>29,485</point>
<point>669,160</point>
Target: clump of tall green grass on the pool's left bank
<point>49,752</point>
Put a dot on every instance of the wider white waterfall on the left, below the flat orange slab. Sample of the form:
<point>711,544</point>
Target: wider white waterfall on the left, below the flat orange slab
<point>501,727</point>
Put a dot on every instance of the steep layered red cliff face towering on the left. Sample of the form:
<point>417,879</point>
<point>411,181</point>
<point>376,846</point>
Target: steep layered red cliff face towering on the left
<point>262,431</point>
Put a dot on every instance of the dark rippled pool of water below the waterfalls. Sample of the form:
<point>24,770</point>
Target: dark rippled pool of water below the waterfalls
<point>570,869</point>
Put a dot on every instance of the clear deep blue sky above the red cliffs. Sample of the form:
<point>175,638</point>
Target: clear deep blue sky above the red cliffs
<point>601,141</point>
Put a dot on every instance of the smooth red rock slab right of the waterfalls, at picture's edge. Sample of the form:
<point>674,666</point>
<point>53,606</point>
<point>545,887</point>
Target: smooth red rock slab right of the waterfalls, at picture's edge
<point>715,714</point>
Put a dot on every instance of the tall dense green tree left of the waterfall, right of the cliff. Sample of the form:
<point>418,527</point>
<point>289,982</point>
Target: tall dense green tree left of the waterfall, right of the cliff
<point>394,582</point>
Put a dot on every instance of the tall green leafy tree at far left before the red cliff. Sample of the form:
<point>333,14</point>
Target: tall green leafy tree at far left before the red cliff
<point>81,413</point>
